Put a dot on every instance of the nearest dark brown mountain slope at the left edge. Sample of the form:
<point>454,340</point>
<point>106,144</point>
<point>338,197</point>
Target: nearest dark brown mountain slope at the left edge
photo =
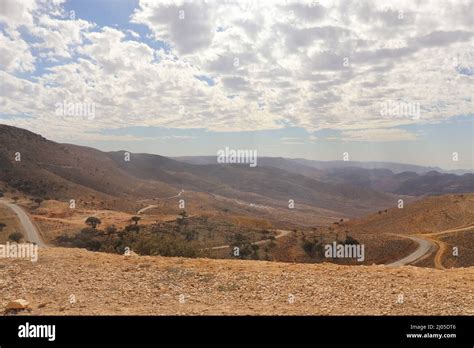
<point>48,169</point>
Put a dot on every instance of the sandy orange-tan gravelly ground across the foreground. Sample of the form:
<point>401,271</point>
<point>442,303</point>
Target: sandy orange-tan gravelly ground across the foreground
<point>79,282</point>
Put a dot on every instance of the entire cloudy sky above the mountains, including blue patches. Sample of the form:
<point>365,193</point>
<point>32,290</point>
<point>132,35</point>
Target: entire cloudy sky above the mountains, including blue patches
<point>381,80</point>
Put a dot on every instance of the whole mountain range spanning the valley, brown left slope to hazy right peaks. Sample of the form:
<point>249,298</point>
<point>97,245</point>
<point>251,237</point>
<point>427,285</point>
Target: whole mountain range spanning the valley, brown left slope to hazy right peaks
<point>63,171</point>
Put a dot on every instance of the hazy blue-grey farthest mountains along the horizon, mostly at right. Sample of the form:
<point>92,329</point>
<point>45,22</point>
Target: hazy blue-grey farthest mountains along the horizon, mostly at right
<point>406,179</point>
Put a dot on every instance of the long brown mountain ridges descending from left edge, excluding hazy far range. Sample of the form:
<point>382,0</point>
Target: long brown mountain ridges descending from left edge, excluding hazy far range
<point>65,171</point>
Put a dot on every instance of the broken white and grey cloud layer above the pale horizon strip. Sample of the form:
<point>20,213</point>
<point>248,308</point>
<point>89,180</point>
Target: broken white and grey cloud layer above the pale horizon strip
<point>315,66</point>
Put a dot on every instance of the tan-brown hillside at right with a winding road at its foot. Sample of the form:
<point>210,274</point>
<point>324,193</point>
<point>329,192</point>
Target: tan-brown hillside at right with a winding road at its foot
<point>444,221</point>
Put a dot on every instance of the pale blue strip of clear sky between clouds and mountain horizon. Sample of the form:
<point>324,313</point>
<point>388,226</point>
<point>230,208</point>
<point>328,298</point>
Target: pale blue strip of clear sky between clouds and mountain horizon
<point>435,143</point>
